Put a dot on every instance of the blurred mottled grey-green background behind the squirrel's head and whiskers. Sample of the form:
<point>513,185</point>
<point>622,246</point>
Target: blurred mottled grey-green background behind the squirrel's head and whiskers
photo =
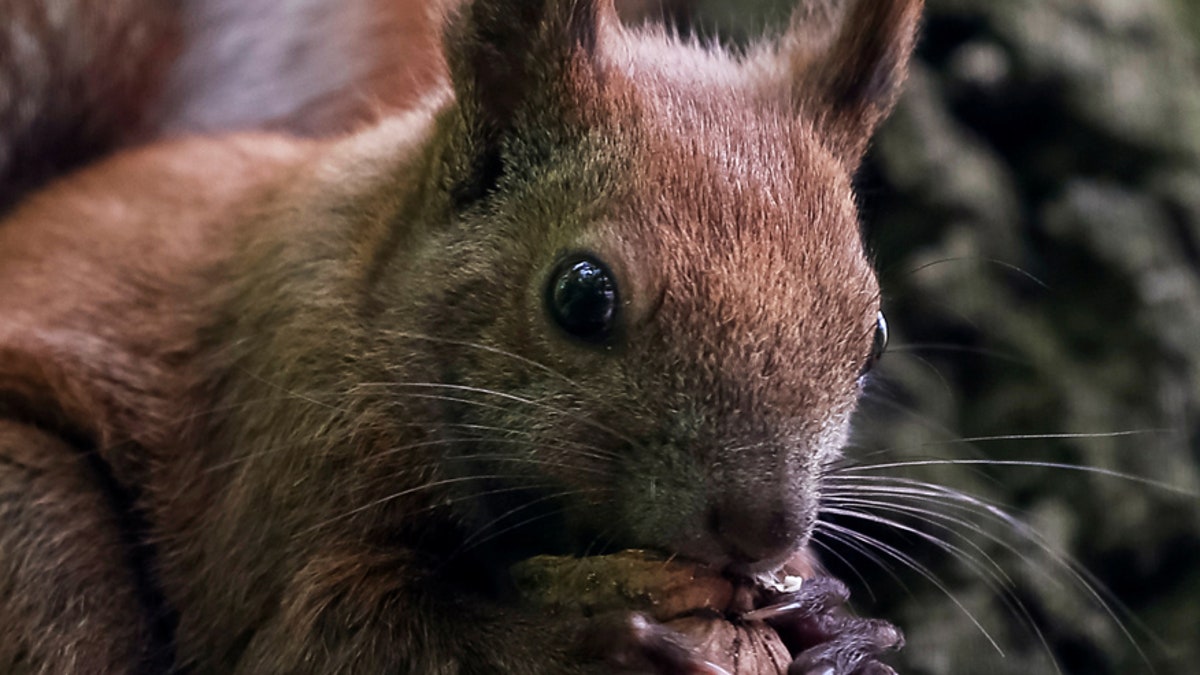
<point>1035,212</point>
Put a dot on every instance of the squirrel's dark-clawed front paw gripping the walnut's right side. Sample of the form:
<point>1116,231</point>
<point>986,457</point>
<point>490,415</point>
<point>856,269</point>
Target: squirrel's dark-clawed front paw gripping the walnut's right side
<point>823,638</point>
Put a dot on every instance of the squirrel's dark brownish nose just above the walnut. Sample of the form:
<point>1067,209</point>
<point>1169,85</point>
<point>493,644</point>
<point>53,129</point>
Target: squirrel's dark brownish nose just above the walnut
<point>754,531</point>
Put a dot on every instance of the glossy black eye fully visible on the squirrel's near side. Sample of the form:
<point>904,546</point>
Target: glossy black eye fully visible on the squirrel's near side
<point>583,300</point>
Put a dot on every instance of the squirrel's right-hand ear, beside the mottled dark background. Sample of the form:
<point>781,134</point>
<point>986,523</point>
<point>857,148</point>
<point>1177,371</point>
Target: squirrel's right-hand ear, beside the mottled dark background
<point>848,74</point>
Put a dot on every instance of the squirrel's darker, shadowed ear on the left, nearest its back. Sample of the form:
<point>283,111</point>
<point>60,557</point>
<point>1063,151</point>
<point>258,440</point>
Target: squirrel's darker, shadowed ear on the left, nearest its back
<point>523,64</point>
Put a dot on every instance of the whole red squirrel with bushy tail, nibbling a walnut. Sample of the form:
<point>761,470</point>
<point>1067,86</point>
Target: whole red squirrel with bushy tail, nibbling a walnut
<point>292,401</point>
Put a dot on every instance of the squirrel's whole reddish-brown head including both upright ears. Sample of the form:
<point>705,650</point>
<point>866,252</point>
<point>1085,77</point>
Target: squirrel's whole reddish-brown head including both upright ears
<point>644,297</point>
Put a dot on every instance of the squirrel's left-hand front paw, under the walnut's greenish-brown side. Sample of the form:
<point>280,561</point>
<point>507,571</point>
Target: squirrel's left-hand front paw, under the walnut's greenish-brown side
<point>634,643</point>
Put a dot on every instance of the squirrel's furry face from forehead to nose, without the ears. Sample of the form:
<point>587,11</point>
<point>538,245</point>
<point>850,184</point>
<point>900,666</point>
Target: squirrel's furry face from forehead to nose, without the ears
<point>674,328</point>
